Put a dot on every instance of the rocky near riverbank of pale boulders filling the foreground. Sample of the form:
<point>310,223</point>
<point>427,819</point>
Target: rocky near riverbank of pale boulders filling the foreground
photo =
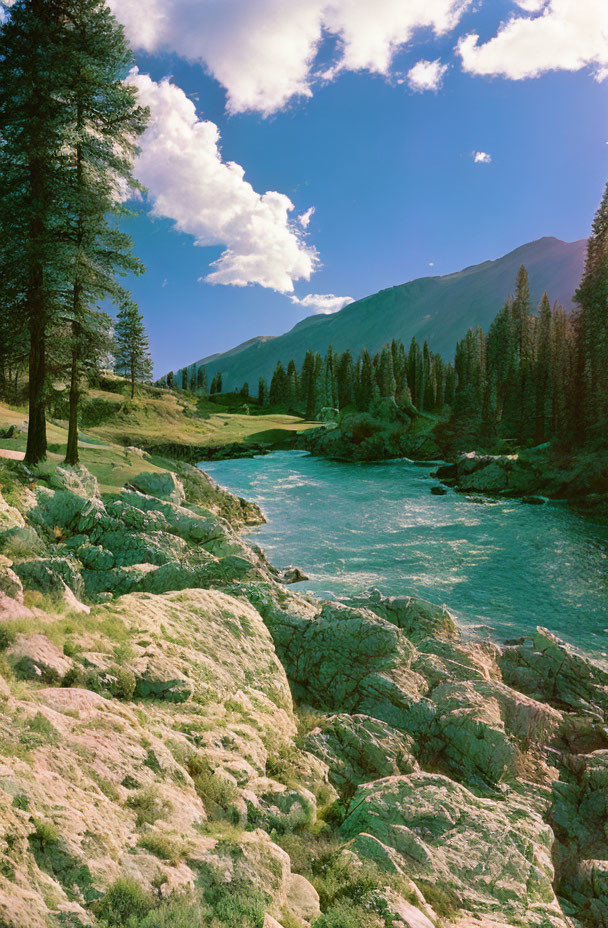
<point>187,742</point>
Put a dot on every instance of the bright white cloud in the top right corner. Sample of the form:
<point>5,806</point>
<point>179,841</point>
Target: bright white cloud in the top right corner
<point>567,35</point>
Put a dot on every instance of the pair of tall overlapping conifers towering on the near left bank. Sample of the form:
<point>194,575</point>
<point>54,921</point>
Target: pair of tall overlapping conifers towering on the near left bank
<point>69,127</point>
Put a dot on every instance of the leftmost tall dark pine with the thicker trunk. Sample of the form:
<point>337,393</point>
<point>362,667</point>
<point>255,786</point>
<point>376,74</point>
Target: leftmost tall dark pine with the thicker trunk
<point>34,127</point>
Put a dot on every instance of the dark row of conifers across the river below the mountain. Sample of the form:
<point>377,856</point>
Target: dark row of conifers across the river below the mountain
<point>534,377</point>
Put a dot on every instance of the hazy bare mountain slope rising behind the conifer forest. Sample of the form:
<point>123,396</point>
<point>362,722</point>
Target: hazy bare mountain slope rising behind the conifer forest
<point>439,309</point>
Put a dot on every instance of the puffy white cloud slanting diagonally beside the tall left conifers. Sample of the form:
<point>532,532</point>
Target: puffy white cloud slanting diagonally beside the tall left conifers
<point>182,167</point>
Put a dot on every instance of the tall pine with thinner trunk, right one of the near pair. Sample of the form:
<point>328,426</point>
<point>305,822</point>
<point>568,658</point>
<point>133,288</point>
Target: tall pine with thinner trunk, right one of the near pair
<point>105,121</point>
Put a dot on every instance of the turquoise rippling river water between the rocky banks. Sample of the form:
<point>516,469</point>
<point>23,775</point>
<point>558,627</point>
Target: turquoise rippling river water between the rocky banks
<point>502,567</point>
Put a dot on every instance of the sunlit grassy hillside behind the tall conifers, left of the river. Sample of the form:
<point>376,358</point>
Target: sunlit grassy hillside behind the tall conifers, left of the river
<point>115,429</point>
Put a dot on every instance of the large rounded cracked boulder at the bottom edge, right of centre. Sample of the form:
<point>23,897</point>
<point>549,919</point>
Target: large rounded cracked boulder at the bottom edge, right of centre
<point>491,857</point>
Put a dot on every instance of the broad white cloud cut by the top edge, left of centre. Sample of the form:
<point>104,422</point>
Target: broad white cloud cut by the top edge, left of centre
<point>263,52</point>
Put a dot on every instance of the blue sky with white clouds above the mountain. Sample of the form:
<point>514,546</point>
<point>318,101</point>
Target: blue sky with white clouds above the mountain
<point>389,169</point>
